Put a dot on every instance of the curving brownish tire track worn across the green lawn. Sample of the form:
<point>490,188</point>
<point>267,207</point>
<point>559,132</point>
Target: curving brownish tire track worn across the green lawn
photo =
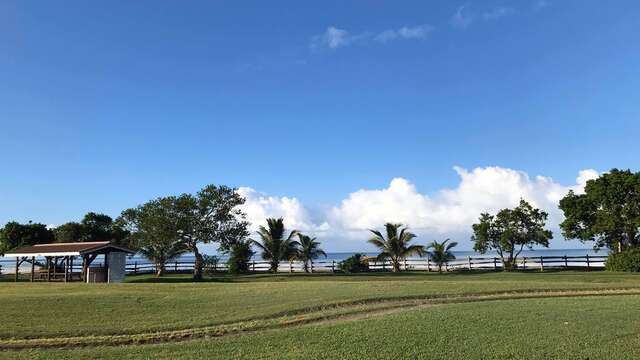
<point>317,315</point>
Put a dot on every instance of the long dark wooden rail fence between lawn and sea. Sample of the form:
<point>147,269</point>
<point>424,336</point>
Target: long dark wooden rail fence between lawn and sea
<point>586,262</point>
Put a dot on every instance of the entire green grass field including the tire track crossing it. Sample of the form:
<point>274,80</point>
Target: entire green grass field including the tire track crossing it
<point>419,315</point>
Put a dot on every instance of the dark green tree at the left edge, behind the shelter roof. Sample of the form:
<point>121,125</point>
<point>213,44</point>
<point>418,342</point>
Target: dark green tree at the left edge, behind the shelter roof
<point>14,235</point>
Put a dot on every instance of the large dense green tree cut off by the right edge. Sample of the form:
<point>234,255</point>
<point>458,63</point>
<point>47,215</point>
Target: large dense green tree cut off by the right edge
<point>608,213</point>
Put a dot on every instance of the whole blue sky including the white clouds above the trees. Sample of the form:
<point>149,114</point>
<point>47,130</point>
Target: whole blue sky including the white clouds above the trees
<point>337,115</point>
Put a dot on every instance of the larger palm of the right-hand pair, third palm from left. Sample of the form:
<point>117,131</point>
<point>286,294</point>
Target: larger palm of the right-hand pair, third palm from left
<point>396,245</point>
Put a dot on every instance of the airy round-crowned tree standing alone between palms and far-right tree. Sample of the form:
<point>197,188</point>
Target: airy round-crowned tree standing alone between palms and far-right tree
<point>510,231</point>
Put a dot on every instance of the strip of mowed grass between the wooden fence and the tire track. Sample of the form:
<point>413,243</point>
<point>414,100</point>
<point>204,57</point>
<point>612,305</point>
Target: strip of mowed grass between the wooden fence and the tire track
<point>55,309</point>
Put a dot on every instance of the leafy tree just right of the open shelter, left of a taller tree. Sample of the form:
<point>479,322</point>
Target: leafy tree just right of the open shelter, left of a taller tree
<point>154,228</point>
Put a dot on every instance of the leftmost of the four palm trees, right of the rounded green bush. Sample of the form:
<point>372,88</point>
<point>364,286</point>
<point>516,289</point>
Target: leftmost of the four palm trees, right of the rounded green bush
<point>275,247</point>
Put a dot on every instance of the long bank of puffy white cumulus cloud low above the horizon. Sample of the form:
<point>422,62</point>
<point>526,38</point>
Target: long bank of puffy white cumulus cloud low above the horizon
<point>446,213</point>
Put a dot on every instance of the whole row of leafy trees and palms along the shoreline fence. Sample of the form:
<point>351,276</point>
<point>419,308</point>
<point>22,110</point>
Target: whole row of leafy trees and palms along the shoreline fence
<point>607,214</point>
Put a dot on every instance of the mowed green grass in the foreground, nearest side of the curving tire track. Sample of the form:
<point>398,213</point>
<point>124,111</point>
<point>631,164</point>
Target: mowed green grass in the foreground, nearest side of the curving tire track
<point>604,327</point>
